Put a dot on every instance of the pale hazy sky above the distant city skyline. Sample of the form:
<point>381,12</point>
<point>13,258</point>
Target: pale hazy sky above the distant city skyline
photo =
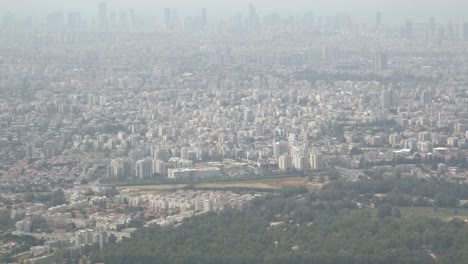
<point>391,9</point>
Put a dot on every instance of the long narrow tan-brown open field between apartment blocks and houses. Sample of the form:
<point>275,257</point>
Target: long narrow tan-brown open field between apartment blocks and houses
<point>266,184</point>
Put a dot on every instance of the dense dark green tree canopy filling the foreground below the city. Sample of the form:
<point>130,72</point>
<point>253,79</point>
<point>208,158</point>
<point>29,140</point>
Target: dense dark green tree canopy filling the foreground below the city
<point>297,229</point>
